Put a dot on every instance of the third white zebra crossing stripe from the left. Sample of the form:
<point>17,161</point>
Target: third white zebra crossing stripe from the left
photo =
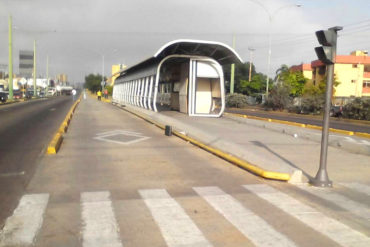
<point>176,226</point>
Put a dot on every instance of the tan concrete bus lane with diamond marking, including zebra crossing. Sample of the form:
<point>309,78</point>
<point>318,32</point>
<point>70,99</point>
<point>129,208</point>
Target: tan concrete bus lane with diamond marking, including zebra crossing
<point>119,181</point>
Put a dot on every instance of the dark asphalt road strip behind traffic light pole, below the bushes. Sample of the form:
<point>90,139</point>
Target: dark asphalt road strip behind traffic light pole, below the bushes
<point>336,123</point>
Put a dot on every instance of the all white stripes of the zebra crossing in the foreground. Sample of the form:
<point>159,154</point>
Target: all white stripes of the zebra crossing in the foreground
<point>100,226</point>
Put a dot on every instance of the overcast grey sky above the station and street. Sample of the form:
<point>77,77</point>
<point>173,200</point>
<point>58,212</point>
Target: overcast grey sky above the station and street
<point>76,33</point>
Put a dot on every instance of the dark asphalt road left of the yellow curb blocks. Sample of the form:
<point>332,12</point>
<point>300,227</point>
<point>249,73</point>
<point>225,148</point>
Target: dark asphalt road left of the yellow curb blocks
<point>25,131</point>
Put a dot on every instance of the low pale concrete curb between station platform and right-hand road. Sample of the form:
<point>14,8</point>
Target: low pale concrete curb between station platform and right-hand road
<point>345,142</point>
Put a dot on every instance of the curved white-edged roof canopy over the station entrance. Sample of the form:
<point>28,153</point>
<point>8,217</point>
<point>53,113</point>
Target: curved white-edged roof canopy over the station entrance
<point>220,52</point>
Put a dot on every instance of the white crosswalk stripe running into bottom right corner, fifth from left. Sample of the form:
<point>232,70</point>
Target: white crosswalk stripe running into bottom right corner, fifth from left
<point>323,224</point>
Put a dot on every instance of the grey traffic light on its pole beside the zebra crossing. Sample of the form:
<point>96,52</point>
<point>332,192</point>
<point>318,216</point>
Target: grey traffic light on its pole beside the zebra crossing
<point>326,54</point>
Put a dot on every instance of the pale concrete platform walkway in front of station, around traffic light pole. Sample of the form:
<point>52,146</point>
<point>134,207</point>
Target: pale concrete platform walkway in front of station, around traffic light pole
<point>268,149</point>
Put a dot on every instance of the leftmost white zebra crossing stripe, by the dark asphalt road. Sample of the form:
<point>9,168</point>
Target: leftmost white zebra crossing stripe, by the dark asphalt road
<point>21,228</point>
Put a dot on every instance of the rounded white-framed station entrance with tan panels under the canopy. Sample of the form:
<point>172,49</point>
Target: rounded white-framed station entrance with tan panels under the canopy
<point>191,85</point>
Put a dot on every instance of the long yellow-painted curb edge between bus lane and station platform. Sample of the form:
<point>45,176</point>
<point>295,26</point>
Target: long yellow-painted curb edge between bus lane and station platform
<point>228,157</point>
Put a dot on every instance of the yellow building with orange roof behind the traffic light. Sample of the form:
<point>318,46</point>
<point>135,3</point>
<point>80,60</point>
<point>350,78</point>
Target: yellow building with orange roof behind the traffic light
<point>352,71</point>
